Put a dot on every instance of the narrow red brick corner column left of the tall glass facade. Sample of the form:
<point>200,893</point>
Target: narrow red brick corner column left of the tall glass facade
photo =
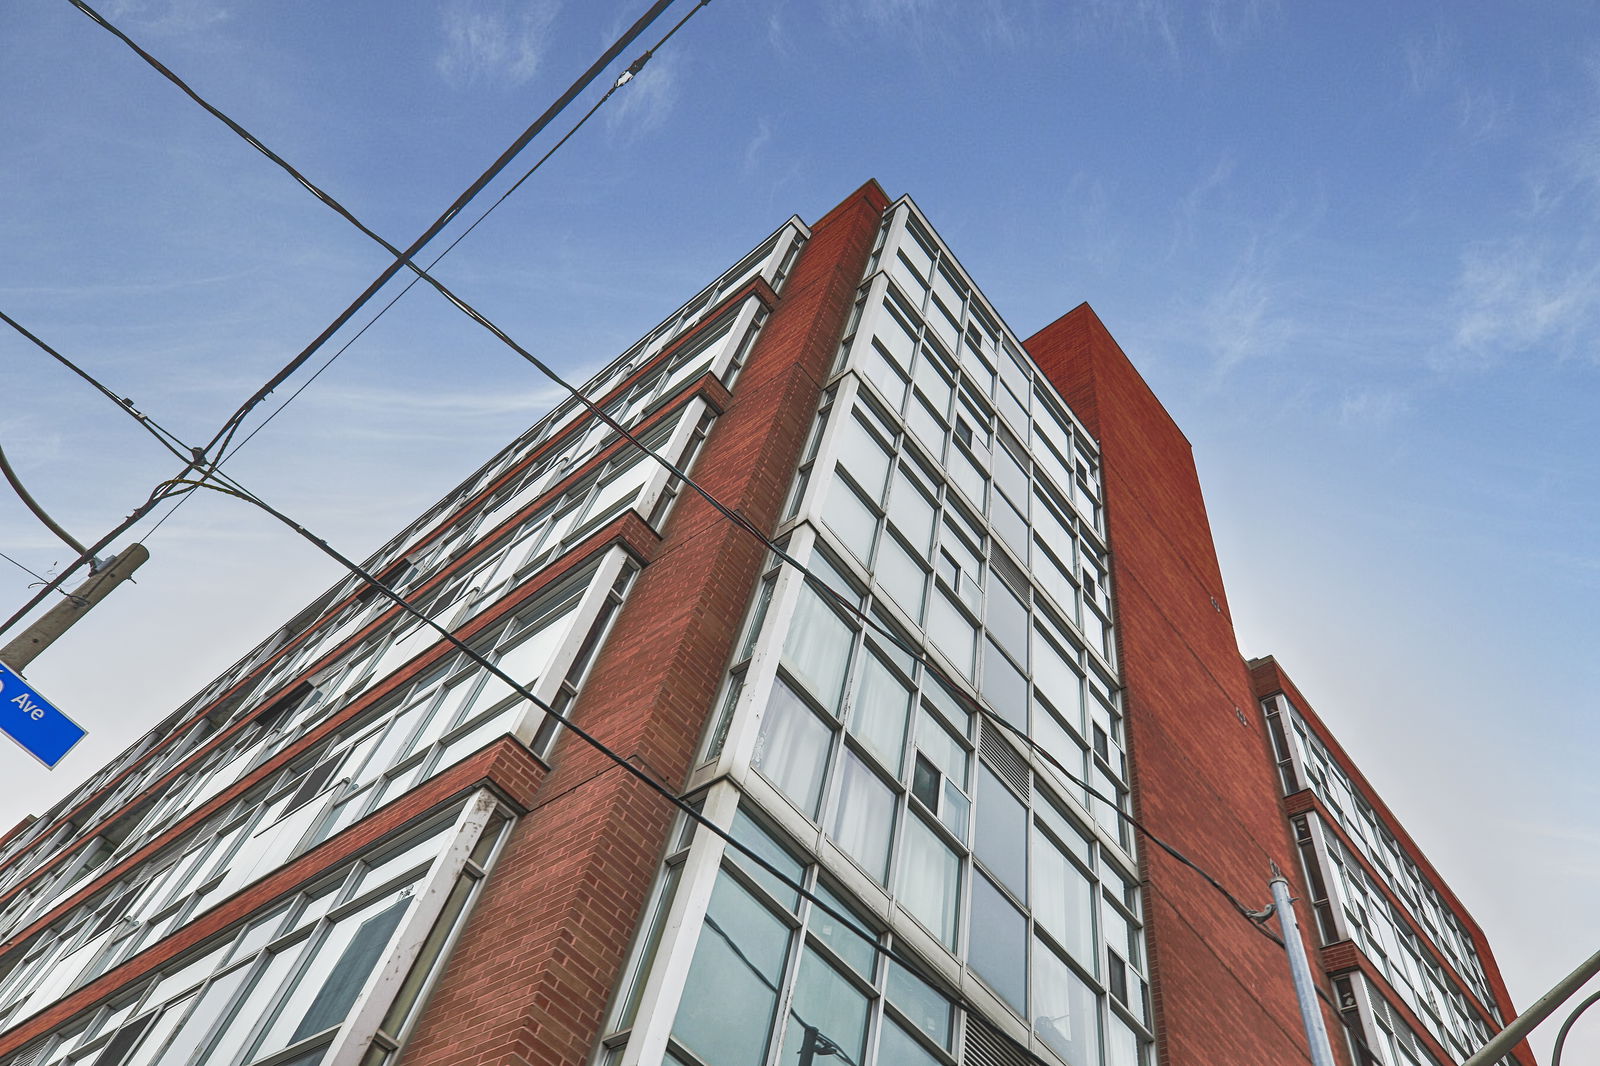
<point>543,953</point>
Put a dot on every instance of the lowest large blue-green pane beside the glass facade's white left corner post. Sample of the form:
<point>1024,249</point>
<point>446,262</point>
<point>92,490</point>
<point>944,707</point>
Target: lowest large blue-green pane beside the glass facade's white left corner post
<point>726,1014</point>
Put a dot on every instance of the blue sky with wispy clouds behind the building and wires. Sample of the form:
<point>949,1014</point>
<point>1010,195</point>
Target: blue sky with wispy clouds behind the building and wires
<point>1353,249</point>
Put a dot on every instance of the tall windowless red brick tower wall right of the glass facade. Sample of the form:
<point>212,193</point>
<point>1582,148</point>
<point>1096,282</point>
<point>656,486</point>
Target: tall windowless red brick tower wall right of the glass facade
<point>1202,769</point>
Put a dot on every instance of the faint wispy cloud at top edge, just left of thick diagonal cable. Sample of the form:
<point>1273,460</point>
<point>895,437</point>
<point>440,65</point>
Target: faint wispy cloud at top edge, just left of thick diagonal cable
<point>494,41</point>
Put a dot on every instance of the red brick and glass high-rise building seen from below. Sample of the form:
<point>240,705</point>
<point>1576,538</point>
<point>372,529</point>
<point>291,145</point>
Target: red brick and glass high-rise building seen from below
<point>1010,639</point>
